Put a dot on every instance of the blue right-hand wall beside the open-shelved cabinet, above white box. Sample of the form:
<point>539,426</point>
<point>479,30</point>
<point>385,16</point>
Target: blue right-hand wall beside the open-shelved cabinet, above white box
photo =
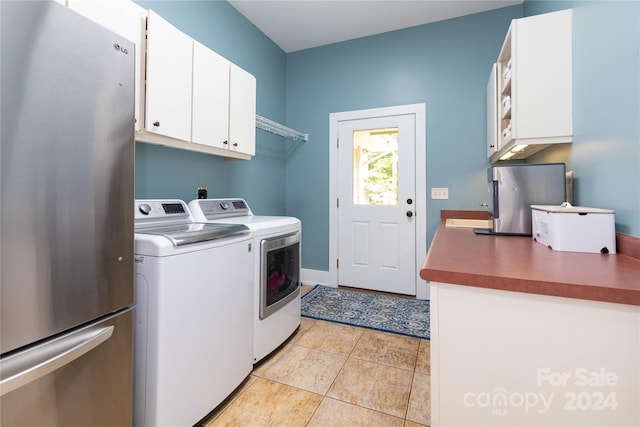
<point>605,153</point>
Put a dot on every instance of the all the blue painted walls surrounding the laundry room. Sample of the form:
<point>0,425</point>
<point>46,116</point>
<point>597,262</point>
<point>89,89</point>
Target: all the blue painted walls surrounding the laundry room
<point>445,65</point>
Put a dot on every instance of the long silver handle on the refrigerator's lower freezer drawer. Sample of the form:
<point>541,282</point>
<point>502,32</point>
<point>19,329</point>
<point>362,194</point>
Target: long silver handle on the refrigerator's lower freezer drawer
<point>22,368</point>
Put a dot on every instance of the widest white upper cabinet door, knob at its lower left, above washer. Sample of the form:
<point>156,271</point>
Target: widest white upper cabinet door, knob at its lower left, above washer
<point>169,69</point>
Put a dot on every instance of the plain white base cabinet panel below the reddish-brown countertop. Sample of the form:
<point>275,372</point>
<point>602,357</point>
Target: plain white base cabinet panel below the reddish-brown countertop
<point>501,358</point>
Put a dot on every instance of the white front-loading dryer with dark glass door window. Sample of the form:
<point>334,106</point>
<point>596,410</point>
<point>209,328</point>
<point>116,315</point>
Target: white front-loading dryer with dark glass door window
<point>277,268</point>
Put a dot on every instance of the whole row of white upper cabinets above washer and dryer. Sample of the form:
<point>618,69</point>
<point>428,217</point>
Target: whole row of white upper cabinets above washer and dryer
<point>186,95</point>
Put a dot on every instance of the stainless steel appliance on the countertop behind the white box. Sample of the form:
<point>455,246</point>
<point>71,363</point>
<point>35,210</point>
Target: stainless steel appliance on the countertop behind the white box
<point>513,188</point>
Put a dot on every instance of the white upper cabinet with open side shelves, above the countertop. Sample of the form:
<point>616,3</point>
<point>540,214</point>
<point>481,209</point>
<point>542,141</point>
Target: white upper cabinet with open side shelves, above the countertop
<point>534,86</point>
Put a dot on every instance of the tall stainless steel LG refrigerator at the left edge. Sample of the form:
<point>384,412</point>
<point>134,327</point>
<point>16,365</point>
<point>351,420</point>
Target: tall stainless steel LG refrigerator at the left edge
<point>66,167</point>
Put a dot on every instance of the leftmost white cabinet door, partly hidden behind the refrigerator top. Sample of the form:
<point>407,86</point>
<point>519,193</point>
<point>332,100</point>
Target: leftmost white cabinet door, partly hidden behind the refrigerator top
<point>127,19</point>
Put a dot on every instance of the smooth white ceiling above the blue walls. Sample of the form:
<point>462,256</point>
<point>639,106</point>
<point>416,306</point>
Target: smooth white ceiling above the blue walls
<point>301,24</point>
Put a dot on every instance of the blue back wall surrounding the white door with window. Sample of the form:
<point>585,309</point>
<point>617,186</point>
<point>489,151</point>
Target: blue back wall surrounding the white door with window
<point>445,65</point>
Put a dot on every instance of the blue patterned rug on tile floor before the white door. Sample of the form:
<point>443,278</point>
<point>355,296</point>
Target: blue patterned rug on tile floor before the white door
<point>404,316</point>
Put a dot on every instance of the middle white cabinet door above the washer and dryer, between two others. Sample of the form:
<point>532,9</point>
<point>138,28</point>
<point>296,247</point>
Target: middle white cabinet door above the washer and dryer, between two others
<point>210,115</point>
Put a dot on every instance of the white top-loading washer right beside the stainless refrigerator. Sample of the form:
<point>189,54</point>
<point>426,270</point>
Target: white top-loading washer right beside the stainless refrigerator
<point>194,313</point>
